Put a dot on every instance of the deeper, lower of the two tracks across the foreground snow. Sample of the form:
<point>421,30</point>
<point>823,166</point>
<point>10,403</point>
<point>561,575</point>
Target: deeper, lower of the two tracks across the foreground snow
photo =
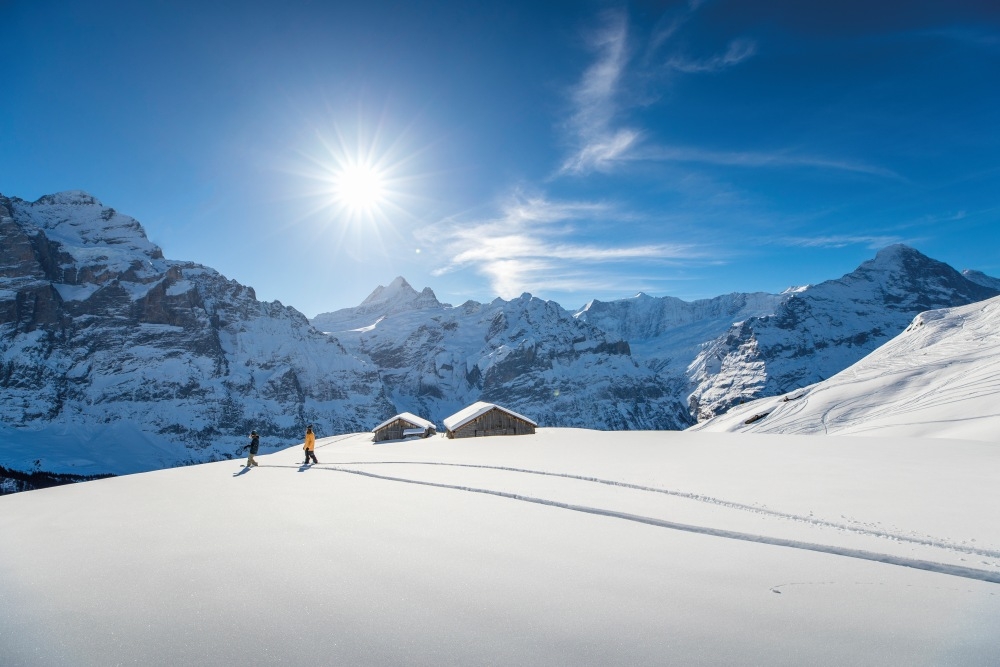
<point>860,554</point>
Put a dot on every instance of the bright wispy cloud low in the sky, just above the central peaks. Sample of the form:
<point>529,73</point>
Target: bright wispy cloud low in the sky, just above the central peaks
<point>531,245</point>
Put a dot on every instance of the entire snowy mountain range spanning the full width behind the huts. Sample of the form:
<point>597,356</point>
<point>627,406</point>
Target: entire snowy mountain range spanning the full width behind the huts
<point>119,360</point>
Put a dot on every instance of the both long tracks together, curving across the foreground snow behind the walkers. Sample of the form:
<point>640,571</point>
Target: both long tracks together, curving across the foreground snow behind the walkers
<point>861,554</point>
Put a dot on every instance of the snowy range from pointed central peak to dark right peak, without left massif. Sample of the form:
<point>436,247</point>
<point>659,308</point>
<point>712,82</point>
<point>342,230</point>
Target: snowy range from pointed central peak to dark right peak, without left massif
<point>643,362</point>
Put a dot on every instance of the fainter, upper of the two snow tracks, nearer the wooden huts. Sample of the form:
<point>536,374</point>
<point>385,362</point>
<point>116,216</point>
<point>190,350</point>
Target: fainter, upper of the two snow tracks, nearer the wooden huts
<point>714,501</point>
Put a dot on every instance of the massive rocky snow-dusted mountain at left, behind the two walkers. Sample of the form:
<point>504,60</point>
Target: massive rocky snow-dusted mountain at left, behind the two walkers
<point>114,359</point>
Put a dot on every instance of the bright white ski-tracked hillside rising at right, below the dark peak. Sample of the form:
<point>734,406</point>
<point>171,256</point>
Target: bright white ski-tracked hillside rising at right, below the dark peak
<point>939,378</point>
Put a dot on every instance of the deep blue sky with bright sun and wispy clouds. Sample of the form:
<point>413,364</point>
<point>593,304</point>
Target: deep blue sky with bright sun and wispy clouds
<point>573,150</point>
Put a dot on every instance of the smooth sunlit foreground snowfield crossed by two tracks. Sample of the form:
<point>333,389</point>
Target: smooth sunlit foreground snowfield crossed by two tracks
<point>567,547</point>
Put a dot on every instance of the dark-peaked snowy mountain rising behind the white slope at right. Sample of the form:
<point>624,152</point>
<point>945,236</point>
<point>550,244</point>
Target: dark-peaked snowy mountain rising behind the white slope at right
<point>817,331</point>
